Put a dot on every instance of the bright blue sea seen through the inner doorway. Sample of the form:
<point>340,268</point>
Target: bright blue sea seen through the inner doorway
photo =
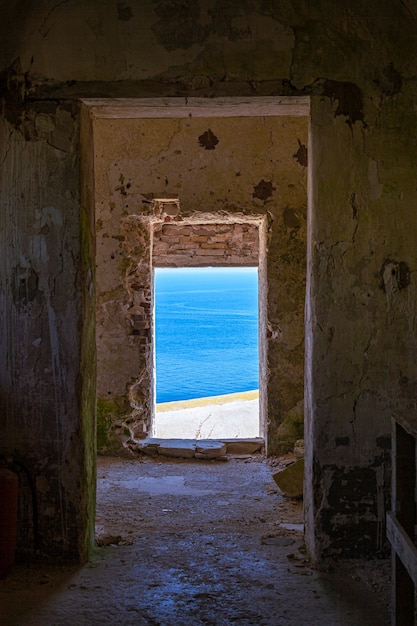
<point>206,332</point>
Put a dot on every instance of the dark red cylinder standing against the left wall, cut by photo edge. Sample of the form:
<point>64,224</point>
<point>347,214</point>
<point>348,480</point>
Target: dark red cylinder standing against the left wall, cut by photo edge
<point>9,490</point>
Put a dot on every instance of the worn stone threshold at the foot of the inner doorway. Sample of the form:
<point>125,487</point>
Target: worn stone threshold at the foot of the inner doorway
<point>199,448</point>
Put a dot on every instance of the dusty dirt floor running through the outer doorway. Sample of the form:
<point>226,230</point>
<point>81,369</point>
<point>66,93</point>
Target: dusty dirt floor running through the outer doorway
<point>189,543</point>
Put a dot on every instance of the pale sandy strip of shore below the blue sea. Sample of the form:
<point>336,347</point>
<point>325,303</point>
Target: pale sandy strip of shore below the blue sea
<point>229,416</point>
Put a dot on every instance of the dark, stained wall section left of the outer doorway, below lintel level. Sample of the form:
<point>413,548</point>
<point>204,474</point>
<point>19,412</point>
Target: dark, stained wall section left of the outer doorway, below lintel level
<point>40,318</point>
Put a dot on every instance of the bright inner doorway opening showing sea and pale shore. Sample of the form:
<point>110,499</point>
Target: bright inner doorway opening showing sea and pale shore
<point>206,353</point>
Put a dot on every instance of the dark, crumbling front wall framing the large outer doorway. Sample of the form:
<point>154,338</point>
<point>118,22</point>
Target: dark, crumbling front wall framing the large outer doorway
<point>356,61</point>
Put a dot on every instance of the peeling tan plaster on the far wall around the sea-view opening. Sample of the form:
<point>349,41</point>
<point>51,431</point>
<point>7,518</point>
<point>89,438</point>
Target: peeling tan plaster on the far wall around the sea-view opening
<point>202,190</point>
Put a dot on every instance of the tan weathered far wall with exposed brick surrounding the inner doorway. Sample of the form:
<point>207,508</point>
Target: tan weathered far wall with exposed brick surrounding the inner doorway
<point>222,170</point>
